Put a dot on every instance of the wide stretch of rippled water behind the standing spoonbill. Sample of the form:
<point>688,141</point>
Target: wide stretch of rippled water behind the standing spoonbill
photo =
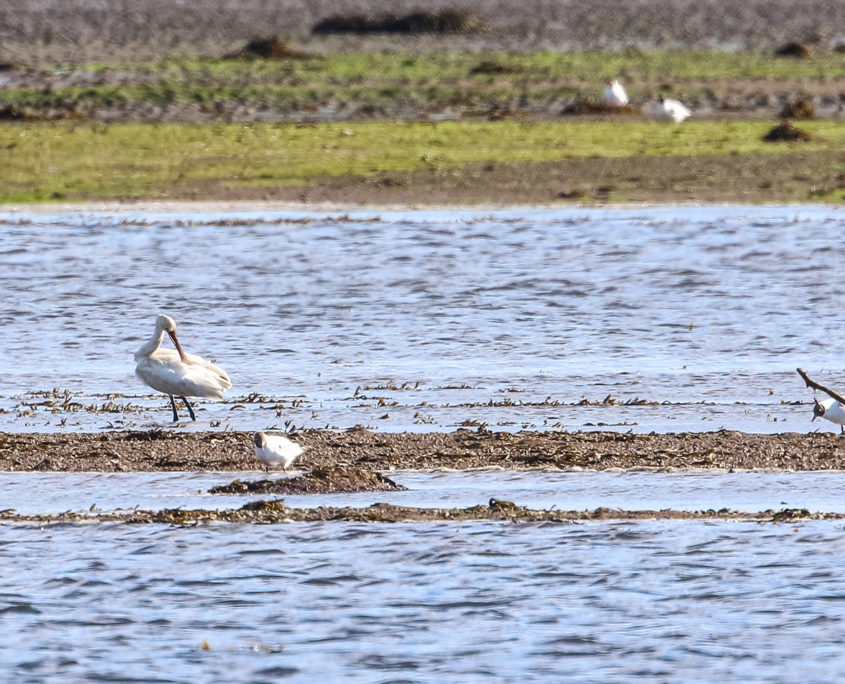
<point>426,320</point>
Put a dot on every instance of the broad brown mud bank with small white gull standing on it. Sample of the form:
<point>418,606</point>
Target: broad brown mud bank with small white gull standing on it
<point>165,450</point>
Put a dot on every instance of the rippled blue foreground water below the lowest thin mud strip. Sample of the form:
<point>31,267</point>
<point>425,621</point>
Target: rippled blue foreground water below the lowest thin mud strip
<point>655,601</point>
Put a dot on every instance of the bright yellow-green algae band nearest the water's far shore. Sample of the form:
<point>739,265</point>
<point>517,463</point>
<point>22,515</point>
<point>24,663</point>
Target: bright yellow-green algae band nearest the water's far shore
<point>71,161</point>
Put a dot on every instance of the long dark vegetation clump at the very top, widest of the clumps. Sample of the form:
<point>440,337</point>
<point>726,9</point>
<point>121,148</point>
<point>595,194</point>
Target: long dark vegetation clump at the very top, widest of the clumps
<point>435,21</point>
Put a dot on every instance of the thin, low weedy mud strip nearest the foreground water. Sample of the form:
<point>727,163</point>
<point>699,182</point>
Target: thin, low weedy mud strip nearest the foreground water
<point>270,512</point>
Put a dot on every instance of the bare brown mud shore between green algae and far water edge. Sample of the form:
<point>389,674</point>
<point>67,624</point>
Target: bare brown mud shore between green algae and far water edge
<point>777,177</point>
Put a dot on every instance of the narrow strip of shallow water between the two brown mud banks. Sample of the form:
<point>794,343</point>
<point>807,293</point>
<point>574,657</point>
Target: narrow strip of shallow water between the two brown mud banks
<point>686,491</point>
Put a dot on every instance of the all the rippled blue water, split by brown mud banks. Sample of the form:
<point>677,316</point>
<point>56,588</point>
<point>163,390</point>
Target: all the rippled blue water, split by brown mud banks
<point>427,320</point>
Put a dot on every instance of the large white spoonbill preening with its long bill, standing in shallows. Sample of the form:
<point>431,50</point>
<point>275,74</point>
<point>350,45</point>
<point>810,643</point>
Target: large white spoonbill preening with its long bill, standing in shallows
<point>176,373</point>
